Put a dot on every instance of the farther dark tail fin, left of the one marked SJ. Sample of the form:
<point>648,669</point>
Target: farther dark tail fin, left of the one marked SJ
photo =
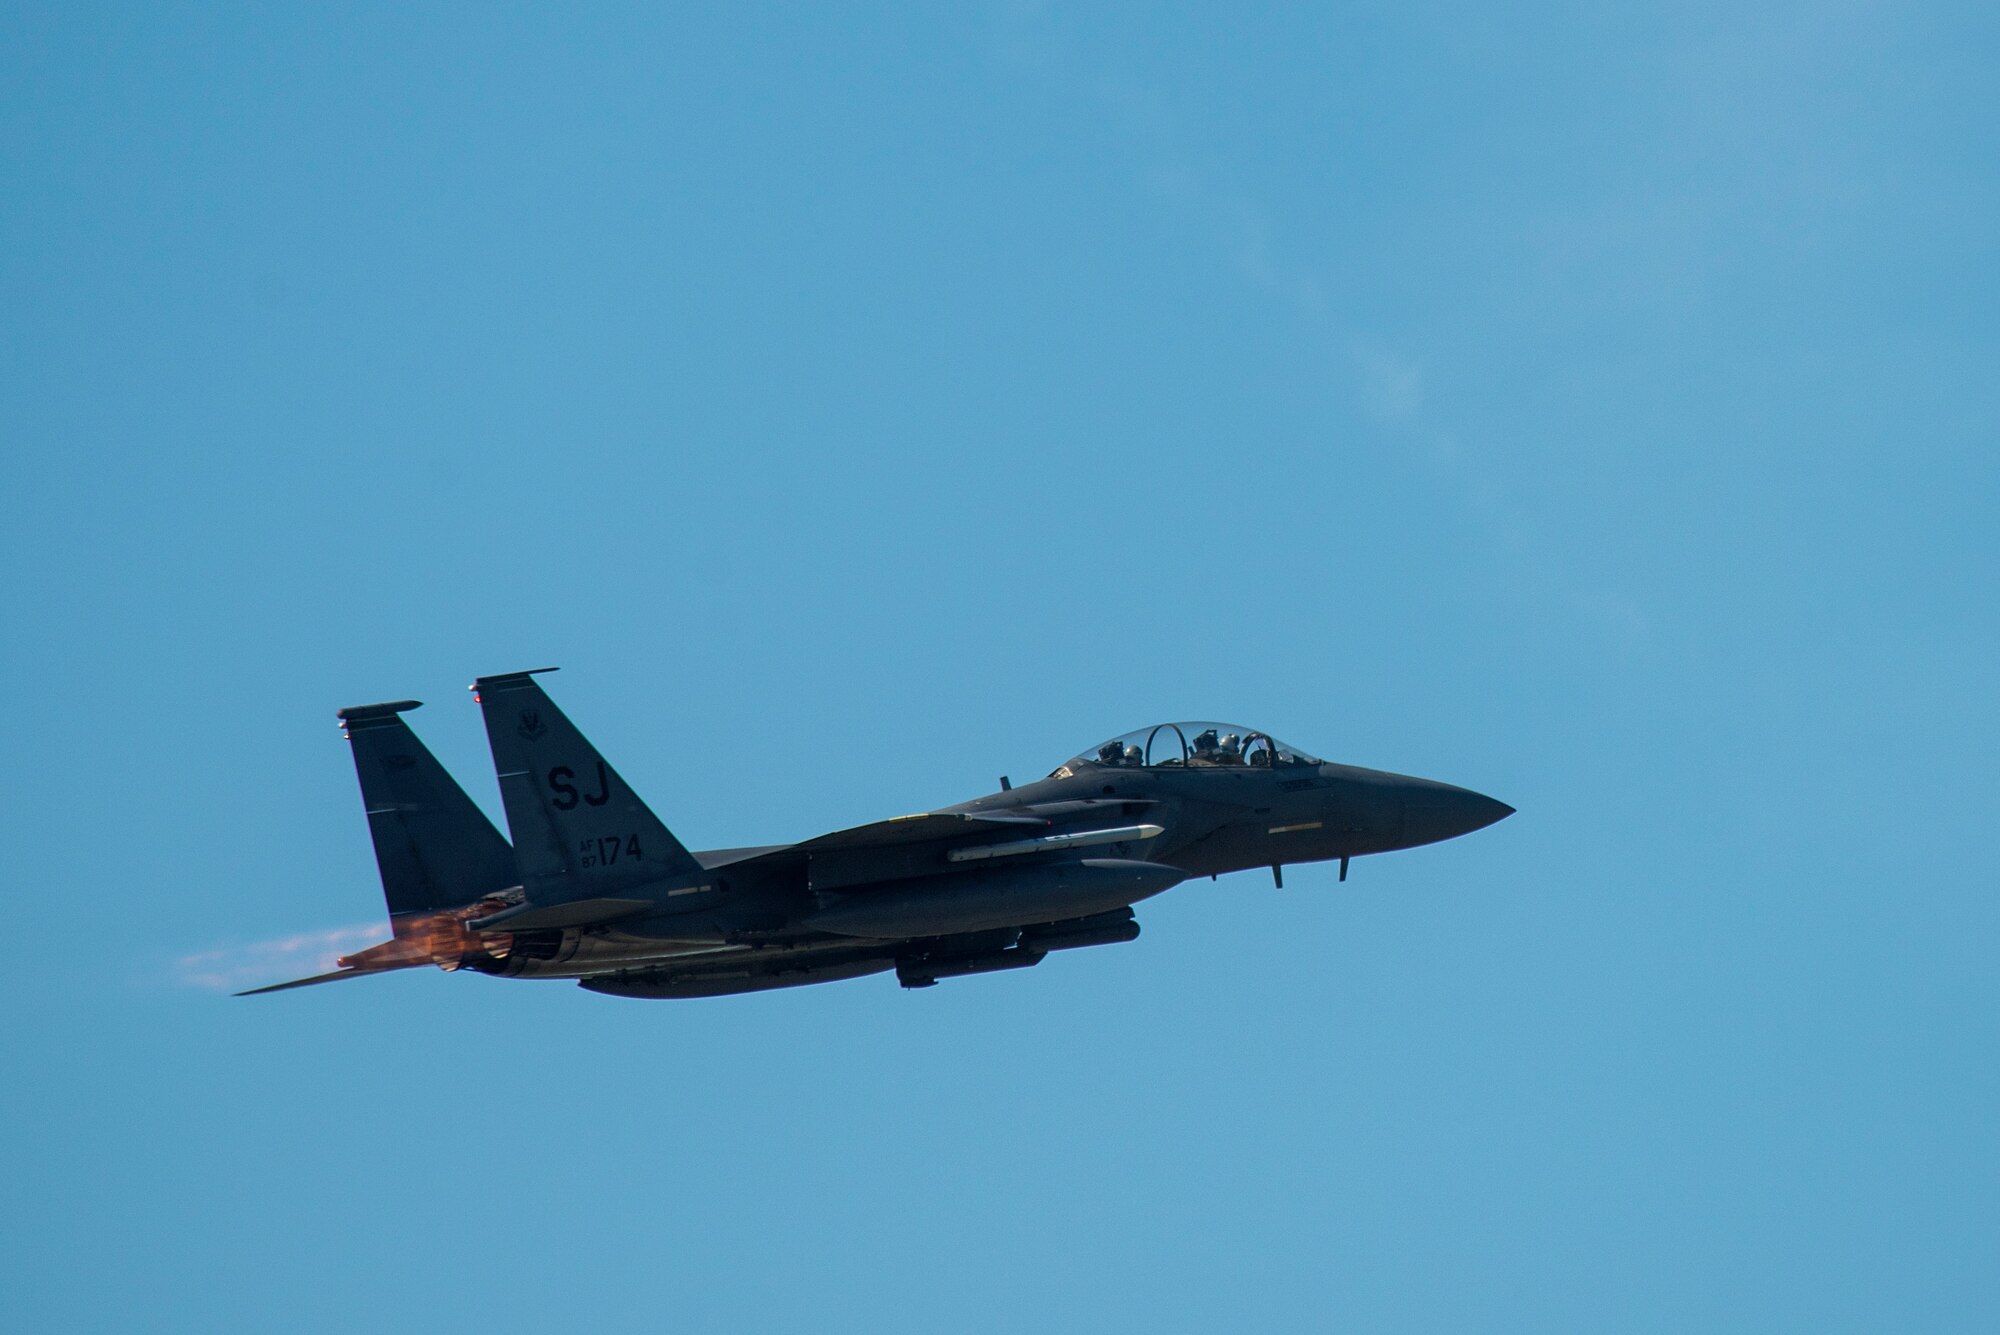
<point>437,850</point>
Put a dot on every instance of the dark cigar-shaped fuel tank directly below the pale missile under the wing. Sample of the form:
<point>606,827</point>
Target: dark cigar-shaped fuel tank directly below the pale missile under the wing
<point>941,906</point>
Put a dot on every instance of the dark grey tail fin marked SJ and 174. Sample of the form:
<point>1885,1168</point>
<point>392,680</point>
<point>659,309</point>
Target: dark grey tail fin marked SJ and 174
<point>579,830</point>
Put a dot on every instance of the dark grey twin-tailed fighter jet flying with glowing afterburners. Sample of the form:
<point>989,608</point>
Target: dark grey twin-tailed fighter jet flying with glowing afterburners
<point>597,890</point>
